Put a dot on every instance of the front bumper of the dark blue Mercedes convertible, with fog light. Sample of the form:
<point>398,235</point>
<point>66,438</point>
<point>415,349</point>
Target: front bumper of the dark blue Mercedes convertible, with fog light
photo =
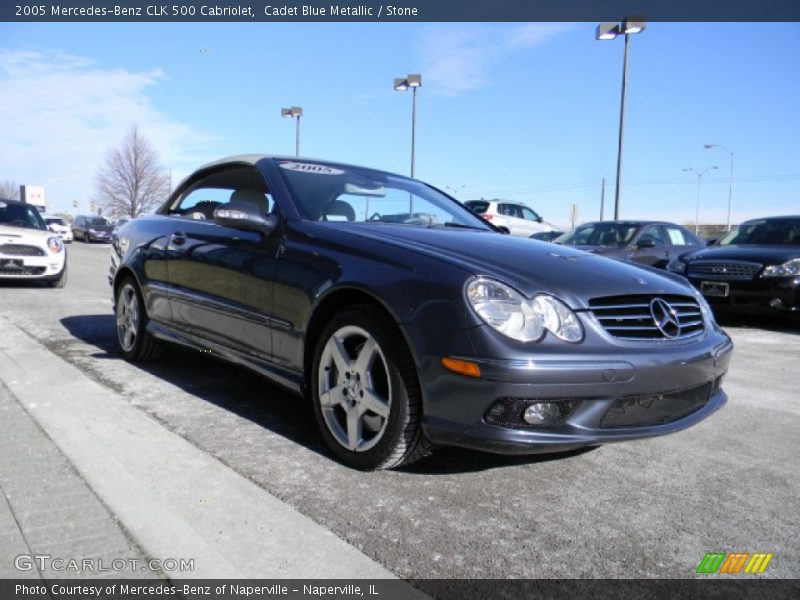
<point>456,407</point>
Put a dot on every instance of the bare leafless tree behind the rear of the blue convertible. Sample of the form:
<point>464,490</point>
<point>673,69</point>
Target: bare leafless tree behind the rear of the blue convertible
<point>132,181</point>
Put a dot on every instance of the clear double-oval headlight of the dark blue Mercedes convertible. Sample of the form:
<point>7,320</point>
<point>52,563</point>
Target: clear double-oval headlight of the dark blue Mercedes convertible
<point>513,315</point>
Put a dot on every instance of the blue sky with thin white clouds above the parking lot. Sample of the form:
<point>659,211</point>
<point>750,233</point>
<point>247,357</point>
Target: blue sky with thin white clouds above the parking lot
<point>527,112</point>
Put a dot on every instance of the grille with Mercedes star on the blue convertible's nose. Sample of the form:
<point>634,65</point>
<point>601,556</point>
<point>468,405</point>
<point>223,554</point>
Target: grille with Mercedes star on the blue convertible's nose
<point>635,317</point>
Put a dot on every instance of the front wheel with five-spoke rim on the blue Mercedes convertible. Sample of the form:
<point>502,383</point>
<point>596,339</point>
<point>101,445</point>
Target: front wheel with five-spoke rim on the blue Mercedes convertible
<point>382,442</point>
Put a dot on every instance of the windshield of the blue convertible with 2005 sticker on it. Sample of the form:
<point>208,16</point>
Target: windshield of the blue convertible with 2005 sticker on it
<point>351,194</point>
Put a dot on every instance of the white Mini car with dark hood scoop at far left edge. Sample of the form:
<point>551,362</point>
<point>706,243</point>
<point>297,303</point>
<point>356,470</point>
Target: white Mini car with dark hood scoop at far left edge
<point>28,249</point>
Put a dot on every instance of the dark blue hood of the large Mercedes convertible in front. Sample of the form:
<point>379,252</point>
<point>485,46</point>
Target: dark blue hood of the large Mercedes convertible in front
<point>528,265</point>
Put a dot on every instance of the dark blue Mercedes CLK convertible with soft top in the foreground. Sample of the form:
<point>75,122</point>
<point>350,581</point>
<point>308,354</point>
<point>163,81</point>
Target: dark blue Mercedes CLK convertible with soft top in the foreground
<point>407,319</point>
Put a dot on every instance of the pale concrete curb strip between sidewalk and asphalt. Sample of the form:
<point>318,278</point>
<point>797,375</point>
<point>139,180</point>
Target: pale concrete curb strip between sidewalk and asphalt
<point>176,501</point>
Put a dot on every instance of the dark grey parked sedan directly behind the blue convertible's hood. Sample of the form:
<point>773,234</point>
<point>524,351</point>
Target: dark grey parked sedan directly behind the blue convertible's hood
<point>645,242</point>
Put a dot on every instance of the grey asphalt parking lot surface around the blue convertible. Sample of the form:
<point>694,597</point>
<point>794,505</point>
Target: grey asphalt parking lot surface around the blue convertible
<point>643,509</point>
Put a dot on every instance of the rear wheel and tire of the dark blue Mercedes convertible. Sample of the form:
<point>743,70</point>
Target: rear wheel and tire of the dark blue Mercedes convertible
<point>133,340</point>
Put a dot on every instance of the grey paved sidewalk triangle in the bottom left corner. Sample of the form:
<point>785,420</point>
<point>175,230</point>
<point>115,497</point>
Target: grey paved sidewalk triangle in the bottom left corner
<point>47,509</point>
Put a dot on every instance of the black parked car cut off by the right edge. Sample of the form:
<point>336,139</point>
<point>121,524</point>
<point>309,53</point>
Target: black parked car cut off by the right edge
<point>755,268</point>
